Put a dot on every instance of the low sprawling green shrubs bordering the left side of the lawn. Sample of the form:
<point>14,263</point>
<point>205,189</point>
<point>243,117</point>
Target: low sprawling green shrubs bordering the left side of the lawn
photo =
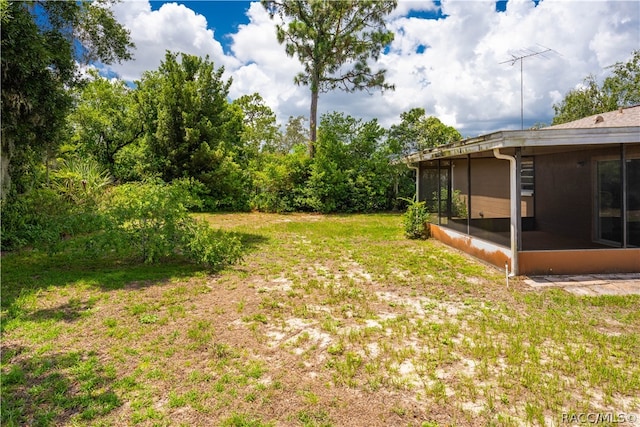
<point>145,220</point>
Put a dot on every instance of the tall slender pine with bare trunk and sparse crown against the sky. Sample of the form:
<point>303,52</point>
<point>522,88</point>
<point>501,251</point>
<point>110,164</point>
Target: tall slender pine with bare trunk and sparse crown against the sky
<point>334,40</point>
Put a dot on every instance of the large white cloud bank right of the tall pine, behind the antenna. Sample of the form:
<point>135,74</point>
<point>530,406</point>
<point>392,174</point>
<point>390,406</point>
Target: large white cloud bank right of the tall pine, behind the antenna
<point>469,88</point>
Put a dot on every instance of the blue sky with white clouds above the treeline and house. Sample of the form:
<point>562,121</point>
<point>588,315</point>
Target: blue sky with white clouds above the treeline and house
<point>447,56</point>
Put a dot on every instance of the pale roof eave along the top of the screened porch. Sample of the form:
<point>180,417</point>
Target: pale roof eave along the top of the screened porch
<point>571,138</point>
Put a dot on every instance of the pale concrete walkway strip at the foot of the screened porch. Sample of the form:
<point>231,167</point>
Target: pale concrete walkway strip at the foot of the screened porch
<point>590,284</point>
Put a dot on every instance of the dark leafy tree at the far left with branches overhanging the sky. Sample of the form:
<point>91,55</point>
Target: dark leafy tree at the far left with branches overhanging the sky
<point>42,45</point>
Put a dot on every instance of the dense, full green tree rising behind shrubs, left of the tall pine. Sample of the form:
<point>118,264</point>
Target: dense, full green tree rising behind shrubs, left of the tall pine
<point>191,129</point>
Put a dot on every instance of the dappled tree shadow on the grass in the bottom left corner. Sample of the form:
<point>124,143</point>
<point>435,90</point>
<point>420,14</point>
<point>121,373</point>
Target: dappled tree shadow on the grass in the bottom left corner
<point>55,389</point>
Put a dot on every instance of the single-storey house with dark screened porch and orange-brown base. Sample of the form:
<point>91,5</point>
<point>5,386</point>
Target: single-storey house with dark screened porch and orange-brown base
<point>560,200</point>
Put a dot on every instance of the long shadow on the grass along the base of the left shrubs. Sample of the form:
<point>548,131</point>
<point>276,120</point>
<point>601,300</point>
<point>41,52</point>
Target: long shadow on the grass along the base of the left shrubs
<point>25,273</point>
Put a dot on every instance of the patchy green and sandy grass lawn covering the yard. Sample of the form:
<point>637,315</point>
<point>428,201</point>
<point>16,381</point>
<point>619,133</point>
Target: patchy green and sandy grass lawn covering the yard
<point>328,321</point>
